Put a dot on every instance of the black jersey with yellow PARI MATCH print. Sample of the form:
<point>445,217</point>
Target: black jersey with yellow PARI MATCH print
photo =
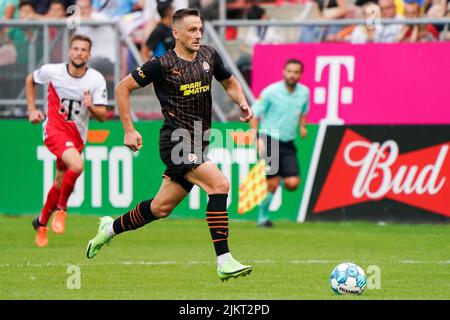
<point>184,87</point>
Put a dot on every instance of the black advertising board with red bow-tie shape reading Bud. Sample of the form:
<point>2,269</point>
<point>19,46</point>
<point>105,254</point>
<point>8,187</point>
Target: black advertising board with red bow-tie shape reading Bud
<point>383,173</point>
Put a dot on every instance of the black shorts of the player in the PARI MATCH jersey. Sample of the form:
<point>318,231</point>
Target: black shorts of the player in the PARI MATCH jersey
<point>179,157</point>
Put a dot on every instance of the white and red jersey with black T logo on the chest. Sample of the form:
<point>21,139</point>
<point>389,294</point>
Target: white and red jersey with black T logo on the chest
<point>66,113</point>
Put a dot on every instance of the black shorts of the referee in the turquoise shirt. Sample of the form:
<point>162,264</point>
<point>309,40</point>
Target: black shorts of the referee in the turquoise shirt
<point>282,162</point>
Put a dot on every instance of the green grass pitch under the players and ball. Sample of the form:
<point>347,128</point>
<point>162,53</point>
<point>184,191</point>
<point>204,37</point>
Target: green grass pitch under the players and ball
<point>174,259</point>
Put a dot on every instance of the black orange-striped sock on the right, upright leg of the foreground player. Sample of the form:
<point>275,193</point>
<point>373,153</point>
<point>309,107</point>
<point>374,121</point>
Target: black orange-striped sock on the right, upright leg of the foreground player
<point>217,218</point>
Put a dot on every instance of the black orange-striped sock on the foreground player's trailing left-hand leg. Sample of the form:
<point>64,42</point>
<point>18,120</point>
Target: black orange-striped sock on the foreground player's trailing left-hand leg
<point>135,218</point>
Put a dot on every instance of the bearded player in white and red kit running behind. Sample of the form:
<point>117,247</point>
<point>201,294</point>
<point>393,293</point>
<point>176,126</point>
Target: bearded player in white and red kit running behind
<point>74,93</point>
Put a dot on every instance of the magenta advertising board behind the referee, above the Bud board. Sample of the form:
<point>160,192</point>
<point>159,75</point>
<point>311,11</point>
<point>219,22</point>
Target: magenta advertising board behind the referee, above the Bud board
<point>365,84</point>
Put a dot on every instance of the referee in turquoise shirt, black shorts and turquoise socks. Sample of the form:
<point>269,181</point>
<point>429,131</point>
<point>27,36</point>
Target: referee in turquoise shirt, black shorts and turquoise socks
<point>281,112</point>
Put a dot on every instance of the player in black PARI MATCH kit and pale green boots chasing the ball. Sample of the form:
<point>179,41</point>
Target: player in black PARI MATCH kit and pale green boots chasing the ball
<point>182,80</point>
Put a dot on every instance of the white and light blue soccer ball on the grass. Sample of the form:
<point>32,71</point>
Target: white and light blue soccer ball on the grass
<point>348,278</point>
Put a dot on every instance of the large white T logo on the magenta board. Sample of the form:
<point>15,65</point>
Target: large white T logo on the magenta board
<point>346,95</point>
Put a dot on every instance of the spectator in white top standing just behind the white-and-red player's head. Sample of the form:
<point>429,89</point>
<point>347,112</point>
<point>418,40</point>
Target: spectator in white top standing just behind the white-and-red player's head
<point>103,39</point>
